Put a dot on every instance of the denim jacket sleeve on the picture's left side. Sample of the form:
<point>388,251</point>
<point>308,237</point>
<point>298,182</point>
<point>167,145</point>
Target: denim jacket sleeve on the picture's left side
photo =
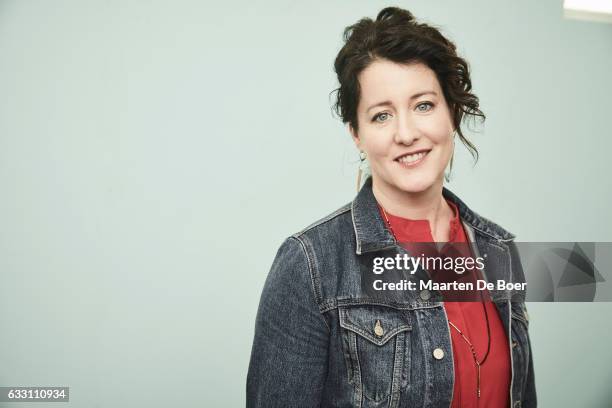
<point>288,364</point>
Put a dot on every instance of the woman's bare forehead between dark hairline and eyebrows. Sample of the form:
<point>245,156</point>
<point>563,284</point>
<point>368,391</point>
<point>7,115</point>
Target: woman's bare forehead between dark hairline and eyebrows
<point>384,79</point>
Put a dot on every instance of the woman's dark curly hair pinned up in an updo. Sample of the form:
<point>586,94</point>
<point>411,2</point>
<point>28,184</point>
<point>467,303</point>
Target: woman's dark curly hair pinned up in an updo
<point>396,36</point>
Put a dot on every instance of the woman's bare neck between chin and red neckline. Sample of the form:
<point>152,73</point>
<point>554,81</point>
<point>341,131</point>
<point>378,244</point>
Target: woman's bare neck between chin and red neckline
<point>427,205</point>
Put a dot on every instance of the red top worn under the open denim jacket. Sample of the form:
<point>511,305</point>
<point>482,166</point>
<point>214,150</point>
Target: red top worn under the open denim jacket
<point>469,317</point>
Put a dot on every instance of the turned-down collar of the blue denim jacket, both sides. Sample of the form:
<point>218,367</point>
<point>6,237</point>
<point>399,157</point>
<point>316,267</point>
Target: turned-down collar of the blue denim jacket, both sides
<point>371,233</point>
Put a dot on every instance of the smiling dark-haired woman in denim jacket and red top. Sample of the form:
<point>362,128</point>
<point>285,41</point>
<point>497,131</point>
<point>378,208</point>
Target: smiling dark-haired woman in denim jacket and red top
<point>322,338</point>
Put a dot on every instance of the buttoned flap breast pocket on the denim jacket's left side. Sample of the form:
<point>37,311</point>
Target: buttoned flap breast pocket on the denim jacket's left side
<point>376,346</point>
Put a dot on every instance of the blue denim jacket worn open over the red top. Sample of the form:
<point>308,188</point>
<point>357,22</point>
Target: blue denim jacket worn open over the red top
<point>316,344</point>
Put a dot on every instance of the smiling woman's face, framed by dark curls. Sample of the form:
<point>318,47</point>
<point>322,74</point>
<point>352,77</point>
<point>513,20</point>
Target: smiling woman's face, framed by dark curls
<point>405,127</point>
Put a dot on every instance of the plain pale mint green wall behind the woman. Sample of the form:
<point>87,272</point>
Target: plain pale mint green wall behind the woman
<point>154,155</point>
